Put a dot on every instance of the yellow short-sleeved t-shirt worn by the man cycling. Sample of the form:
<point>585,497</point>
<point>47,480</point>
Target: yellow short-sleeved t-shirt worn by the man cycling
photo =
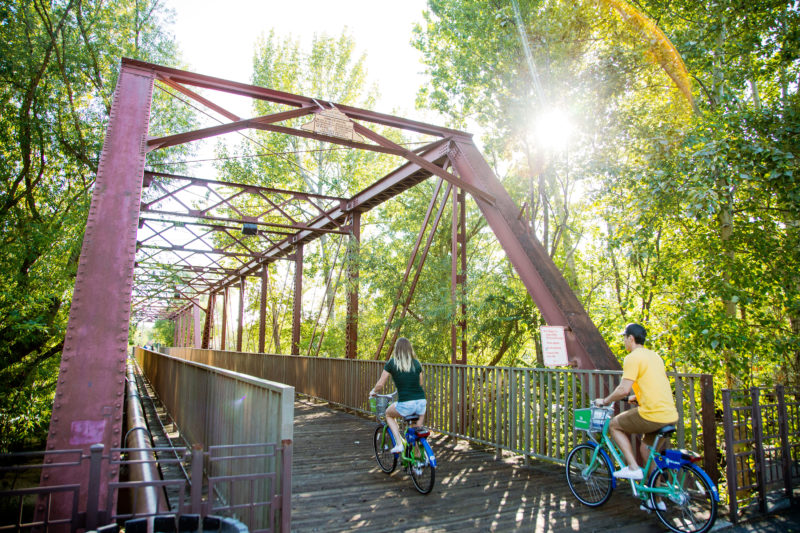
<point>650,384</point>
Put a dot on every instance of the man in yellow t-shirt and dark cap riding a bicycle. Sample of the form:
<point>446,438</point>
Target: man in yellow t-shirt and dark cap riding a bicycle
<point>643,373</point>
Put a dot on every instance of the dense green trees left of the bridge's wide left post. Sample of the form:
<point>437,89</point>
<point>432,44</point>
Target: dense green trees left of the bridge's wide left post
<point>58,67</point>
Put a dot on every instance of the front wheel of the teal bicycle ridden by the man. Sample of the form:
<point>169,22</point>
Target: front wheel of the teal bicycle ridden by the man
<point>590,482</point>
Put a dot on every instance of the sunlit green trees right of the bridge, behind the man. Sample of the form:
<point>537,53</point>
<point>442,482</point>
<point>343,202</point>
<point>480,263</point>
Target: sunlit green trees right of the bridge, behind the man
<point>692,220</point>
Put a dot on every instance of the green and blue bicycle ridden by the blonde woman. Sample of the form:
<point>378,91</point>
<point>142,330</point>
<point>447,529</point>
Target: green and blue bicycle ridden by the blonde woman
<point>417,457</point>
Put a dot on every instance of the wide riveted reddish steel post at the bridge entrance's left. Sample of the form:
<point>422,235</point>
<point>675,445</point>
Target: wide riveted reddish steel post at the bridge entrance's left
<point>96,341</point>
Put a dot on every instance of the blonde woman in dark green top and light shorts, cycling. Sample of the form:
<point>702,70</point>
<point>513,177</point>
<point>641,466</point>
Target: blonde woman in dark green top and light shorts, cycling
<point>406,372</point>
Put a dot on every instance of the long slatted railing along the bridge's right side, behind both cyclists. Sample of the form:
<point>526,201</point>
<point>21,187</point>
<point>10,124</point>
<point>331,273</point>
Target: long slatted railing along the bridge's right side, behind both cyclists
<point>527,411</point>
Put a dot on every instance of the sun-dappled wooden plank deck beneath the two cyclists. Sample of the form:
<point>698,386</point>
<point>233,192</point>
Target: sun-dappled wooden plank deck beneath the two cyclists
<point>337,486</point>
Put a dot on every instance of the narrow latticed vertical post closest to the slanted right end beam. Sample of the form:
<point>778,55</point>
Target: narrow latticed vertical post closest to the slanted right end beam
<point>458,274</point>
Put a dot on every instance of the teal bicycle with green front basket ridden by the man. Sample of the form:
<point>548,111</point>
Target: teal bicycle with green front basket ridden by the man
<point>680,492</point>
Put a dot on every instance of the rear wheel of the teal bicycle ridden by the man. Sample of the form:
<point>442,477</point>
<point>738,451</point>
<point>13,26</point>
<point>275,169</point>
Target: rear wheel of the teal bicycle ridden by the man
<point>690,507</point>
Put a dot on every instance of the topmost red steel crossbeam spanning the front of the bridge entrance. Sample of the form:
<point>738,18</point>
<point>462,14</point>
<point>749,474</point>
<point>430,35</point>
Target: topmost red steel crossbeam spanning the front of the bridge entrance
<point>280,97</point>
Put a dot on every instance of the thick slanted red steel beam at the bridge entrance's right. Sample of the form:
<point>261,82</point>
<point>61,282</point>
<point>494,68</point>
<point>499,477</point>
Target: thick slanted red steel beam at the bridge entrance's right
<point>548,288</point>
